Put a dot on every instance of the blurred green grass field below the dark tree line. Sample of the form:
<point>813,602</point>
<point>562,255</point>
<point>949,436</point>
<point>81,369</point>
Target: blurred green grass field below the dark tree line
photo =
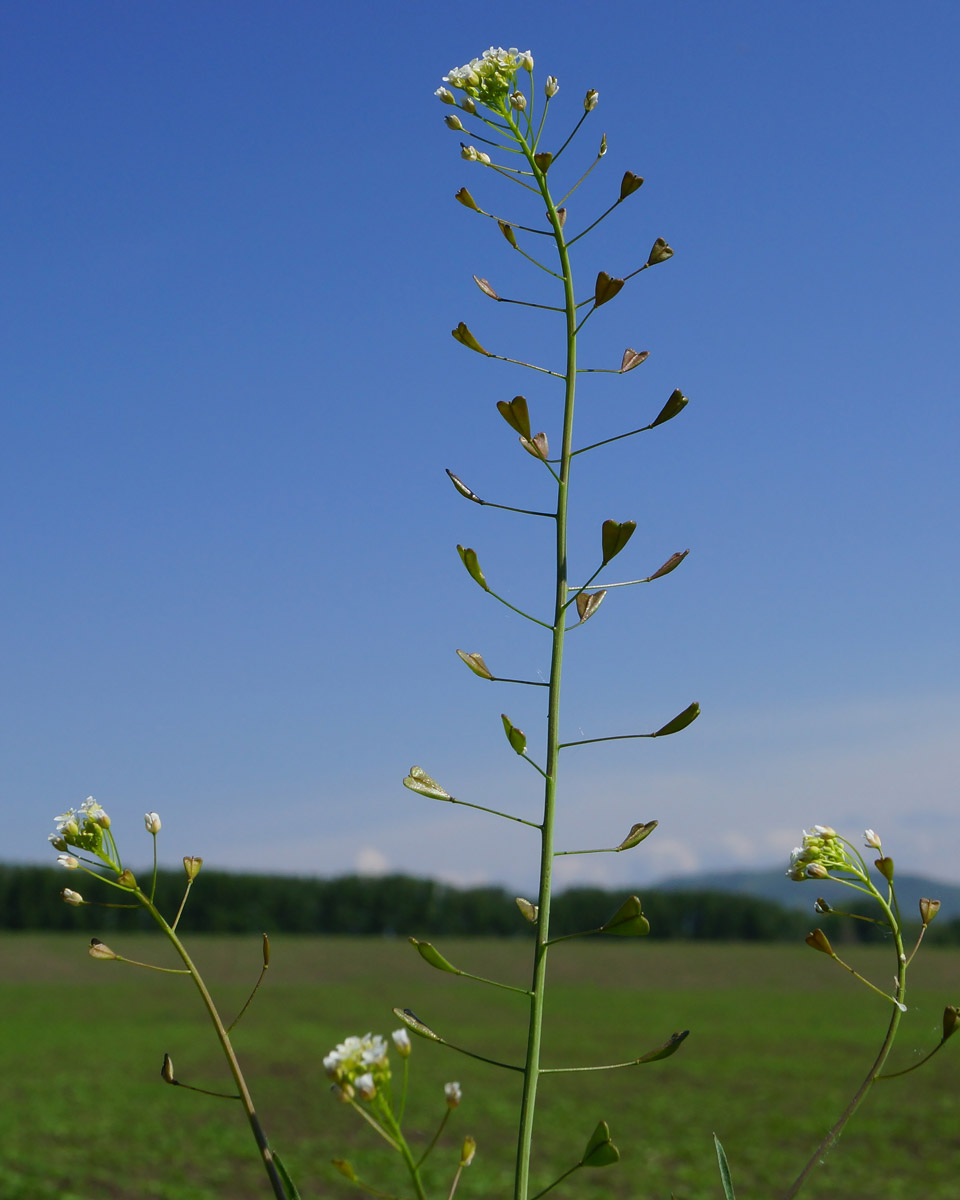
<point>781,1037</point>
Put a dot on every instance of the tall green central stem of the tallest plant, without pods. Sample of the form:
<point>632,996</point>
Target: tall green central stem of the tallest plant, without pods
<point>532,1065</point>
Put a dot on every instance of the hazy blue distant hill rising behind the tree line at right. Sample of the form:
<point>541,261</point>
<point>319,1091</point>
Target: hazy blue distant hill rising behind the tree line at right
<point>776,886</point>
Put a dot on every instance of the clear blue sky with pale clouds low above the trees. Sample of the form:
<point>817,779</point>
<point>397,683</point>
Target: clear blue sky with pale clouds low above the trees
<point>232,262</point>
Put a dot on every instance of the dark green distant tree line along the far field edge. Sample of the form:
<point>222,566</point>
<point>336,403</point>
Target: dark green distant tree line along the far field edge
<point>226,903</point>
